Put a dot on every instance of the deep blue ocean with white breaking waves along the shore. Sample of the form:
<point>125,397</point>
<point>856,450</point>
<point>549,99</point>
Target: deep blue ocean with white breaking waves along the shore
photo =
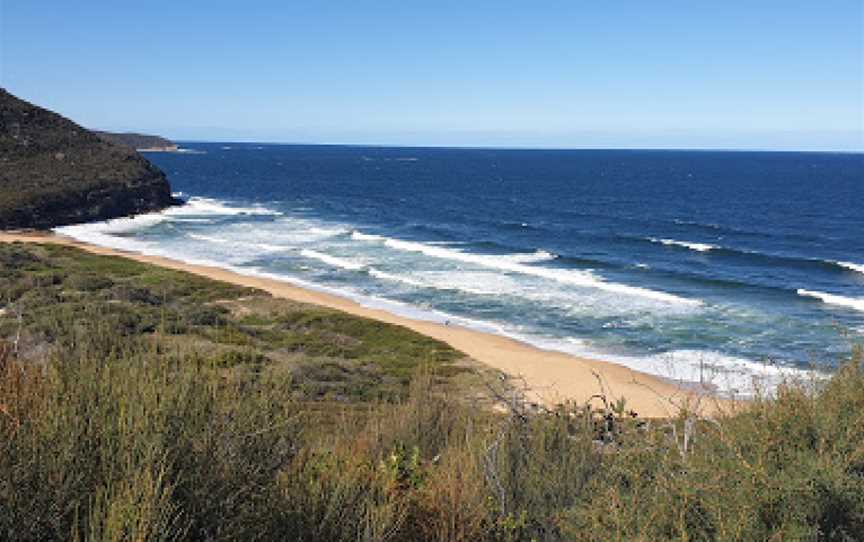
<point>672,262</point>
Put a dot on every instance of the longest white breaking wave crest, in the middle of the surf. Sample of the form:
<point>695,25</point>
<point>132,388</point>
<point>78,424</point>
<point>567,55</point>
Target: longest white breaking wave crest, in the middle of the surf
<point>583,279</point>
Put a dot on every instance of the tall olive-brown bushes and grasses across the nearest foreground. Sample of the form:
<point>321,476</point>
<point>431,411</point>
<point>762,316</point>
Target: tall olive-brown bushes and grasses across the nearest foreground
<point>143,445</point>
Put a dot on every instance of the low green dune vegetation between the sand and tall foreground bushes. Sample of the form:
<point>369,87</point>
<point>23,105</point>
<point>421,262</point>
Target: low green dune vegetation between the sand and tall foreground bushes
<point>63,294</point>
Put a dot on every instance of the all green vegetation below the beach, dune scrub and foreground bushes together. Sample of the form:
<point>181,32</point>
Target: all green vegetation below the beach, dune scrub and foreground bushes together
<point>138,403</point>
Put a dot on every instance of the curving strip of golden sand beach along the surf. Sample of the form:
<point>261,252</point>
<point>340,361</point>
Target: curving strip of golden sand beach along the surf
<point>550,377</point>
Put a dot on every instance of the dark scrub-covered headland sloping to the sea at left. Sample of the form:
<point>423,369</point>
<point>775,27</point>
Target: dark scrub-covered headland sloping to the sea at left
<point>54,172</point>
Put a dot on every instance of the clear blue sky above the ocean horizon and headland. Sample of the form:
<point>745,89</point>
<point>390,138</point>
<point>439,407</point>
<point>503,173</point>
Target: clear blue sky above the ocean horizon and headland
<point>748,74</point>
